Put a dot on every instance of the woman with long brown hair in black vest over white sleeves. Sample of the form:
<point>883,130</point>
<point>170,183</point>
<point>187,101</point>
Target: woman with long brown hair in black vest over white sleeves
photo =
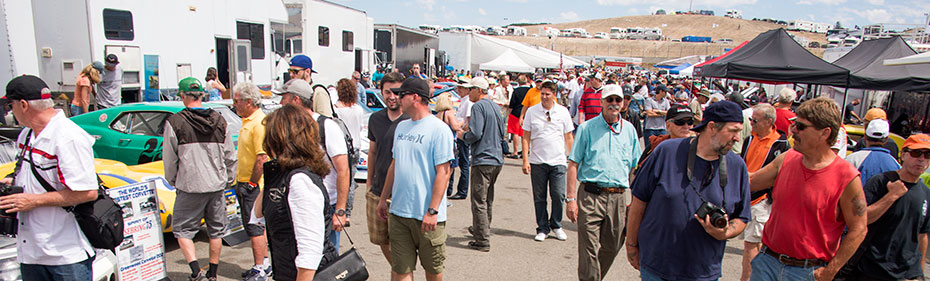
<point>294,192</point>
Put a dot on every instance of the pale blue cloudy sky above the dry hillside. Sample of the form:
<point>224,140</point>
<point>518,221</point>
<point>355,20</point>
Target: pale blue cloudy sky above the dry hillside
<point>500,12</point>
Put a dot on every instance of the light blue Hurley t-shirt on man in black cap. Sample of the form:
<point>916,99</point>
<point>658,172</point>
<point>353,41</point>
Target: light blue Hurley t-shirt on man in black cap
<point>418,147</point>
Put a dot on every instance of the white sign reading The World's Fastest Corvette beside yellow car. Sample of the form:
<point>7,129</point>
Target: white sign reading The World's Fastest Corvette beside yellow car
<point>141,257</point>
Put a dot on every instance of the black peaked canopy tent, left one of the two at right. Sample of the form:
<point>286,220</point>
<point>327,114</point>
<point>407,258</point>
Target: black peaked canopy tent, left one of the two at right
<point>774,57</point>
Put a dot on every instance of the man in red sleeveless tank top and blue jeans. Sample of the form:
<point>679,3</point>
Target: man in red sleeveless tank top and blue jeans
<point>815,196</point>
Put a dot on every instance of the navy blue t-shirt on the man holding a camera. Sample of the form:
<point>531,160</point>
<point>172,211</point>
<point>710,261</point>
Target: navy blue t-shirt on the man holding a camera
<point>673,244</point>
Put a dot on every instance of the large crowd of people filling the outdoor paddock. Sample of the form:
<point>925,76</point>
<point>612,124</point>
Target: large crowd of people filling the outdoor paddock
<point>701,168</point>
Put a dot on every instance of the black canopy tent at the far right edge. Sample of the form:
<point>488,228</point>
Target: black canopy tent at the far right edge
<point>867,69</point>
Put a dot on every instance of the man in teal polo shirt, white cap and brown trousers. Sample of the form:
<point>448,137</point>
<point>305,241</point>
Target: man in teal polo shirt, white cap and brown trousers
<point>605,151</point>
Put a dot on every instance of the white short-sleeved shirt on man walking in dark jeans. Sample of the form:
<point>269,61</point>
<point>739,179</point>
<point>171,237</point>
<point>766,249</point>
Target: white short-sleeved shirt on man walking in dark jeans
<point>547,138</point>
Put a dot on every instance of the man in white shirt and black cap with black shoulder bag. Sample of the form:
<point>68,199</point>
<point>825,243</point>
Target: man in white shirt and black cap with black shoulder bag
<point>50,244</point>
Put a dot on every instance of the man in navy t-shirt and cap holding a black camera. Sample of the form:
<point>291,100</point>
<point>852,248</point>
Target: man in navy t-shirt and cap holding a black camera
<point>689,197</point>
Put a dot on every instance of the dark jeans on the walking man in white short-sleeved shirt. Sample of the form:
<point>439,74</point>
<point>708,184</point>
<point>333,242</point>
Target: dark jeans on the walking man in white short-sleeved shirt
<point>551,178</point>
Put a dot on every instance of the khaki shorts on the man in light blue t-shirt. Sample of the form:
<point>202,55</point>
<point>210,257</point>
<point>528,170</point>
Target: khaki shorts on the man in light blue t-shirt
<point>408,242</point>
